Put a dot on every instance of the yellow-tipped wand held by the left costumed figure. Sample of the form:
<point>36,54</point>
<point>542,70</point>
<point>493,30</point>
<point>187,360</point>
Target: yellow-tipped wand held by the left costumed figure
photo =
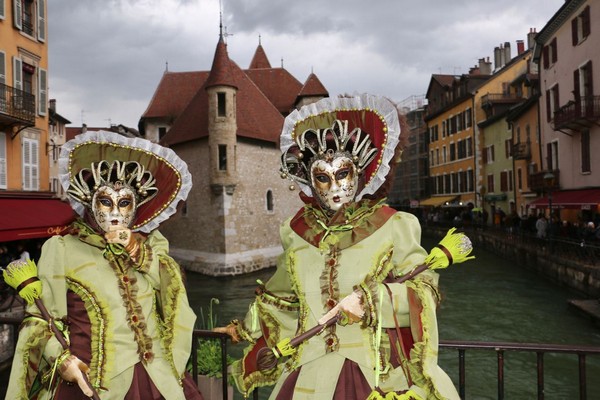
<point>22,276</point>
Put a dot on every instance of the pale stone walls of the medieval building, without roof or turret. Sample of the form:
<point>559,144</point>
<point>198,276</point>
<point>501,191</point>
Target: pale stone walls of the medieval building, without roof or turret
<point>231,231</point>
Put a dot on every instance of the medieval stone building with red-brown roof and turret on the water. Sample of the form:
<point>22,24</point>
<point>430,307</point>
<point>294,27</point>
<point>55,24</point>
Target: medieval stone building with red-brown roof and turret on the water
<point>225,123</point>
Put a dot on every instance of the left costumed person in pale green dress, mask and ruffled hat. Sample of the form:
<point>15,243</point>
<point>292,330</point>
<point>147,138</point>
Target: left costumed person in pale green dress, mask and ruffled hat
<point>110,284</point>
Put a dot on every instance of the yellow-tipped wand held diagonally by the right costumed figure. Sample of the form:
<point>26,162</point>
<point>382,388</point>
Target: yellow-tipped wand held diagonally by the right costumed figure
<point>454,248</point>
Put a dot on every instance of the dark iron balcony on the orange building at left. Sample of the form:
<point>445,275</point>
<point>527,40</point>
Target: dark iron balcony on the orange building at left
<point>16,107</point>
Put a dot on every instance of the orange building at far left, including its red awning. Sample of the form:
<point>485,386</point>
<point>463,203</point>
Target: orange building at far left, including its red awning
<point>27,209</point>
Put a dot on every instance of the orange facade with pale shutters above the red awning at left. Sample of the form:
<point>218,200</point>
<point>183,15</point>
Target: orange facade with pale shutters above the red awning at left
<point>23,96</point>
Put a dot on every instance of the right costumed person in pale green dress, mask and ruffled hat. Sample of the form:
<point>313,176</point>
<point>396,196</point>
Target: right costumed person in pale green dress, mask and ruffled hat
<point>342,252</point>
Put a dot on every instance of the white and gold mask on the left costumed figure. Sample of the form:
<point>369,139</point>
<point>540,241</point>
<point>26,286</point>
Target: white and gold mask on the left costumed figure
<point>113,207</point>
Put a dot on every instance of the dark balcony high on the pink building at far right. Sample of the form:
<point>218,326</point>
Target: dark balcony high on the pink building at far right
<point>577,115</point>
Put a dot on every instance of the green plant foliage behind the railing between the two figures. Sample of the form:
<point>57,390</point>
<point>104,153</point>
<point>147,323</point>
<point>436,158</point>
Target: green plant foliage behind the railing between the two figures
<point>209,350</point>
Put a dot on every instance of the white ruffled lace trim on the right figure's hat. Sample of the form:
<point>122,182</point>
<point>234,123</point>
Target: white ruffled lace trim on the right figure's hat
<point>359,101</point>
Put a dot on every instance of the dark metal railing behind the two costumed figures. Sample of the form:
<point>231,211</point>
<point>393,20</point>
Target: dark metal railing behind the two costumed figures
<point>462,346</point>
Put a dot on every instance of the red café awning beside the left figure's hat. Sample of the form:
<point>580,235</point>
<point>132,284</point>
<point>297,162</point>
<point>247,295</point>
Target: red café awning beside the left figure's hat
<point>33,218</point>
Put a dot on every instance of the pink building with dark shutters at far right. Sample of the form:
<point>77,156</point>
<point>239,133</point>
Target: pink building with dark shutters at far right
<point>566,51</point>
